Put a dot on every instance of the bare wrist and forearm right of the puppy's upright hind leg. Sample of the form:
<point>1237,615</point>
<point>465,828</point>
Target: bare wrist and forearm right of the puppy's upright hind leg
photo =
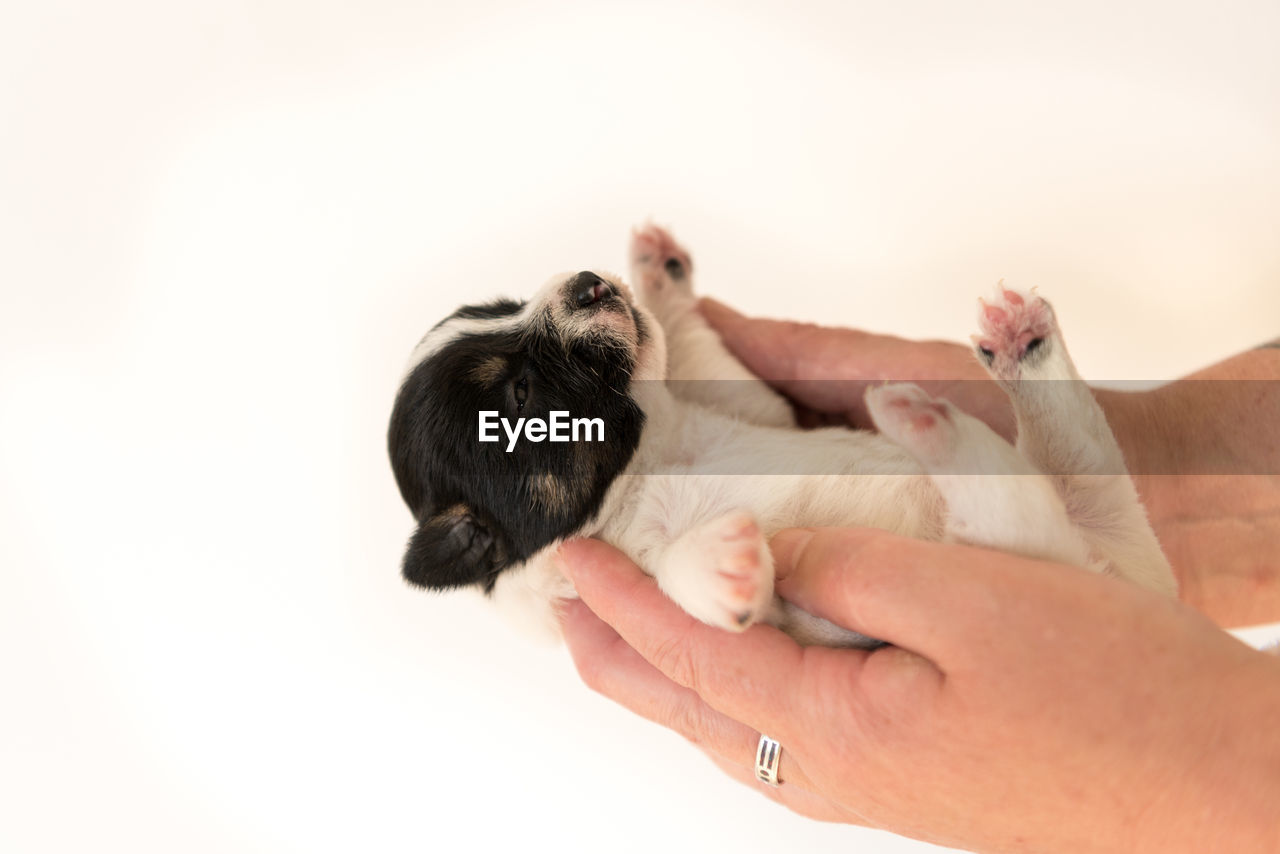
<point>1205,456</point>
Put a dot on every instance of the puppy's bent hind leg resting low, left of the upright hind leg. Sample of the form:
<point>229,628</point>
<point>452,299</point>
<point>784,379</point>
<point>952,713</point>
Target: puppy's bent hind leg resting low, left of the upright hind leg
<point>994,496</point>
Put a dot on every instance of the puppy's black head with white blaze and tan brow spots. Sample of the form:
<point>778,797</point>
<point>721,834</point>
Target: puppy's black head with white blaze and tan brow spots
<point>577,348</point>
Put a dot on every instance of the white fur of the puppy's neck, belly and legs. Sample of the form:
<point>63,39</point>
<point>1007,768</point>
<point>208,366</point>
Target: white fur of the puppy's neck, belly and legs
<point>684,515</point>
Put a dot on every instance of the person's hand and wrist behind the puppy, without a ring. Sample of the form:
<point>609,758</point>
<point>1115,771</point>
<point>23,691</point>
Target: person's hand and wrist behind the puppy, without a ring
<point>1203,451</point>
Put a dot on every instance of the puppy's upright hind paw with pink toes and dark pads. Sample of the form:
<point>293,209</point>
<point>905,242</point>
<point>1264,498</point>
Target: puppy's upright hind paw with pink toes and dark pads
<point>1018,332</point>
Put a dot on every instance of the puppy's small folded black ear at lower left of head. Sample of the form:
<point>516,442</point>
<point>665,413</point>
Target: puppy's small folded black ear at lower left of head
<point>454,550</point>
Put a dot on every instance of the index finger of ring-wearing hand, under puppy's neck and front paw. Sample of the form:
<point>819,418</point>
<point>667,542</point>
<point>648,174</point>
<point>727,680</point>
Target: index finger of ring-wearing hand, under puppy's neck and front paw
<point>751,677</point>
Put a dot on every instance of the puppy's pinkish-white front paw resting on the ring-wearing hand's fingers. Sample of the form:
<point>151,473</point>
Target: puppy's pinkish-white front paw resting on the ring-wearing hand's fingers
<point>721,573</point>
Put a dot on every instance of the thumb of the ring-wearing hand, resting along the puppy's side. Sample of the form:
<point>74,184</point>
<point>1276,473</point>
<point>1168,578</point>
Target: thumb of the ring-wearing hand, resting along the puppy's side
<point>929,599</point>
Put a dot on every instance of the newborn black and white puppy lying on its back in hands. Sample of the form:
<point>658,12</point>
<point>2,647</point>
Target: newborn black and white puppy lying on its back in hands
<point>595,412</point>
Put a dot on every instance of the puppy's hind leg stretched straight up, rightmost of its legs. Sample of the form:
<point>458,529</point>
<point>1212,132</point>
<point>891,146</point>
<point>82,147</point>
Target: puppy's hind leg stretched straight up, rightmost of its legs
<point>1063,432</point>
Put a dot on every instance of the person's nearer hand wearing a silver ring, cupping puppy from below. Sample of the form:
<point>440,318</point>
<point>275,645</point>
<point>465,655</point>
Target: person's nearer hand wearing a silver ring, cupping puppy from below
<point>1023,706</point>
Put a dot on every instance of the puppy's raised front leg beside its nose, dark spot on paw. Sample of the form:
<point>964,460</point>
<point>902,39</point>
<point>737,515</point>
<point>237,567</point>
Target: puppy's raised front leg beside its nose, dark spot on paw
<point>700,367</point>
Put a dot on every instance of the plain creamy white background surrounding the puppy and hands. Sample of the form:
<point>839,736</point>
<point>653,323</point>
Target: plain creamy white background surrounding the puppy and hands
<point>225,226</point>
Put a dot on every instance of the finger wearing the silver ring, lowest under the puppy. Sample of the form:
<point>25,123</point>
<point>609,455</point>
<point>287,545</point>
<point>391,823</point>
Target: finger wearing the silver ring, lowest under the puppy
<point>611,668</point>
